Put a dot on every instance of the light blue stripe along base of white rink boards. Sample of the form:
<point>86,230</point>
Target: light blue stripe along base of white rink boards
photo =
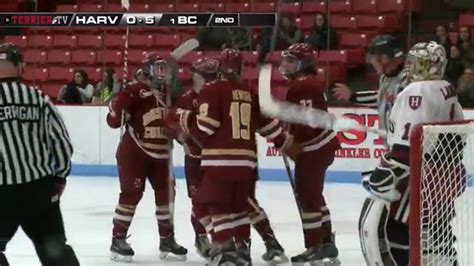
<point>266,174</point>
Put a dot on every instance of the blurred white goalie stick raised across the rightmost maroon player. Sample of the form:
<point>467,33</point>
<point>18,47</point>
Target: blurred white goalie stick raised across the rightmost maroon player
<point>294,113</point>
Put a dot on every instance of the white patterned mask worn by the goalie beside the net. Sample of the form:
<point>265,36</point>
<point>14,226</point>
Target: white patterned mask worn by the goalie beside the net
<point>426,61</point>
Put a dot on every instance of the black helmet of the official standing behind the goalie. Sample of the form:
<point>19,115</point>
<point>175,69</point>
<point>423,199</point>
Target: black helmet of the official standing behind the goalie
<point>385,45</point>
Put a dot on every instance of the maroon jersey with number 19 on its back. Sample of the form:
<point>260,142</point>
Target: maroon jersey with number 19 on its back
<point>226,123</point>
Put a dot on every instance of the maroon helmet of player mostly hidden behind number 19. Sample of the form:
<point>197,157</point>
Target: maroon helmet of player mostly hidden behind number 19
<point>204,70</point>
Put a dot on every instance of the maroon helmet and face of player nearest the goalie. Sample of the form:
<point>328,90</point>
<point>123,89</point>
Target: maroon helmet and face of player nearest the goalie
<point>298,58</point>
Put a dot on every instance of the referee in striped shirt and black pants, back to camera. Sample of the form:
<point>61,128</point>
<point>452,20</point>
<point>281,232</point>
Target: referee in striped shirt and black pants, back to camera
<point>35,158</point>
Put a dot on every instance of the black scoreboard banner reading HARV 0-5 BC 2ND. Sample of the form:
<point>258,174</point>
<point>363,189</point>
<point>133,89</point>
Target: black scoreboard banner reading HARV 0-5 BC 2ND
<point>12,20</point>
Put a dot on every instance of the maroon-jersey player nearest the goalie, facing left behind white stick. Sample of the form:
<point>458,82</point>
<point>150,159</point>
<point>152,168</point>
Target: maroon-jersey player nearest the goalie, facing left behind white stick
<point>317,154</point>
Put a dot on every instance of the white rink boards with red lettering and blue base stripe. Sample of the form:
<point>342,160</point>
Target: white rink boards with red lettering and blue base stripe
<point>95,145</point>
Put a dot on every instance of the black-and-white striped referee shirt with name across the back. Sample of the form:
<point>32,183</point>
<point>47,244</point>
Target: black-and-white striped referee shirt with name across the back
<point>34,141</point>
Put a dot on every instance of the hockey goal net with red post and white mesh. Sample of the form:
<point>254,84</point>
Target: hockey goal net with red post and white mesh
<point>442,194</point>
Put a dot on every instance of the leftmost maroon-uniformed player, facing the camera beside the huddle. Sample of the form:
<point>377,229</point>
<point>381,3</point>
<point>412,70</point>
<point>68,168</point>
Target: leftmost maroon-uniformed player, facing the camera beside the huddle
<point>143,153</point>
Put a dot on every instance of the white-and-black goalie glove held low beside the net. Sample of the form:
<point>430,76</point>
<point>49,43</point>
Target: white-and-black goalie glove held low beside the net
<point>382,182</point>
